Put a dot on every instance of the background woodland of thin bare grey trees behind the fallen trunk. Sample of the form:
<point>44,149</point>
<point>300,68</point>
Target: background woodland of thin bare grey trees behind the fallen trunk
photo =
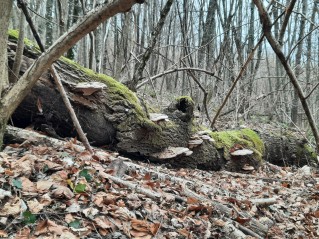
<point>211,39</point>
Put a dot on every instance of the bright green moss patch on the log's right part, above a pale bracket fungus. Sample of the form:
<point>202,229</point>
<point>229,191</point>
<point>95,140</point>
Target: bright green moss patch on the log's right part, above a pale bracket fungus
<point>245,137</point>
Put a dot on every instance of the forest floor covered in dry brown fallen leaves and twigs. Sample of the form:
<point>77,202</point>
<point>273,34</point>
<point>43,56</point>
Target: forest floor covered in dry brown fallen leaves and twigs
<point>64,192</point>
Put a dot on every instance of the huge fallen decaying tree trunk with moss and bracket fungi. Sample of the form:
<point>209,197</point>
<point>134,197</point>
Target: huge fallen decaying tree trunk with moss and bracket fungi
<point>112,115</point>
